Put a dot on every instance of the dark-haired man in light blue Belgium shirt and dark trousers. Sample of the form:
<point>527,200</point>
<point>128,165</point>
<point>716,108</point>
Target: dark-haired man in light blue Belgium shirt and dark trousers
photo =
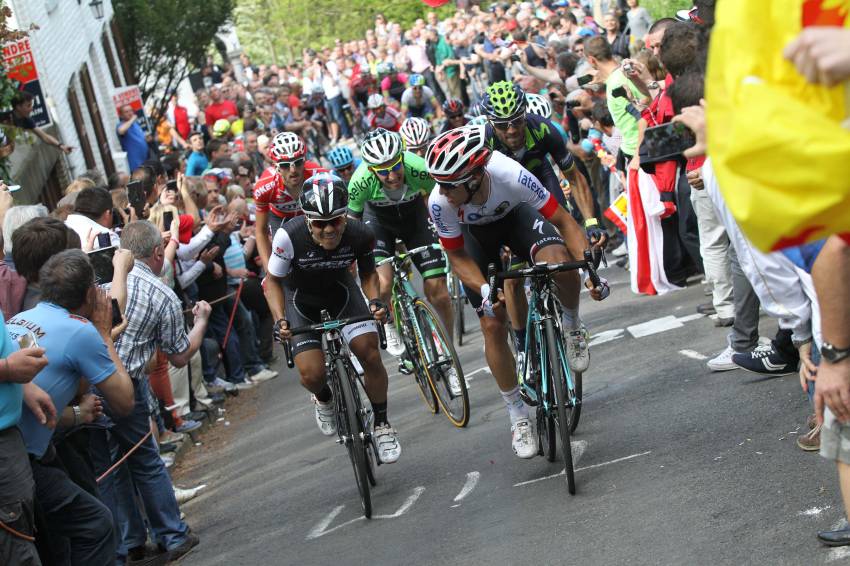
<point>77,349</point>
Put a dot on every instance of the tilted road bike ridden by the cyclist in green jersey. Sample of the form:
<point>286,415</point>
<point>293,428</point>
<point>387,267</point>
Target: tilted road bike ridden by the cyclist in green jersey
<point>429,349</point>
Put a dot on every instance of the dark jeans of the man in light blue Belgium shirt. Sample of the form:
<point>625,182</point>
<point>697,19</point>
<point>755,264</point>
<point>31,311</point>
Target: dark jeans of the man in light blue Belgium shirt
<point>73,513</point>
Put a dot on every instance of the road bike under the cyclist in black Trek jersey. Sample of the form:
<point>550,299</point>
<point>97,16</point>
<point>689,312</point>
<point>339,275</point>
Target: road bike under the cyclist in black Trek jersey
<point>353,415</point>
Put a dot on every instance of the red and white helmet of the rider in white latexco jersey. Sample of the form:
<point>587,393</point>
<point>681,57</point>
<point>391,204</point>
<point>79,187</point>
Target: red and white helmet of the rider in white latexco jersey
<point>455,155</point>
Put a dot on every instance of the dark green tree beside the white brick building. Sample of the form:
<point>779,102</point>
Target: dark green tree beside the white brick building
<point>166,39</point>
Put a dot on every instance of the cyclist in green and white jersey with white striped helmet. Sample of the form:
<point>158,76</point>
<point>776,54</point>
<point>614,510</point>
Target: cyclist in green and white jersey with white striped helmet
<point>389,190</point>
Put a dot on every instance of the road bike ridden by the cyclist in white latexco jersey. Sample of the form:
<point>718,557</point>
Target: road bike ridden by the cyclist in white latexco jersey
<point>546,378</point>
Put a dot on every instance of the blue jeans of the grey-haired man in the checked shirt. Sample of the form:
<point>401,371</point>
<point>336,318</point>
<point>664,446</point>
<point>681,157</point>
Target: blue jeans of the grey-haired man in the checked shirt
<point>143,472</point>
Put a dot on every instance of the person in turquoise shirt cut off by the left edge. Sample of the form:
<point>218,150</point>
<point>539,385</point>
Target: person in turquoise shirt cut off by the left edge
<point>17,367</point>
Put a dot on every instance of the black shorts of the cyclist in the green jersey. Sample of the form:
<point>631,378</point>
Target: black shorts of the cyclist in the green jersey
<point>414,230</point>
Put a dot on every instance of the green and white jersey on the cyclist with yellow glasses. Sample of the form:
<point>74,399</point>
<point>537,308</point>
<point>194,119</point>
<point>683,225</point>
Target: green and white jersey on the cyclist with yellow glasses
<point>365,187</point>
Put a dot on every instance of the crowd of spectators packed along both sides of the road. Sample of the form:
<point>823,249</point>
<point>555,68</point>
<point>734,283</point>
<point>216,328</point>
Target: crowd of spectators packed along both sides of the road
<point>135,307</point>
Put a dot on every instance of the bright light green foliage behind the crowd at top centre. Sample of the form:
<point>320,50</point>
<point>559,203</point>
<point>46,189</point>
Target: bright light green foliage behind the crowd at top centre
<point>275,31</point>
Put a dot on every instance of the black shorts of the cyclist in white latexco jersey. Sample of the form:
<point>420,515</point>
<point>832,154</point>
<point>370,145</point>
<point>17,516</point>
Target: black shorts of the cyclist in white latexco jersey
<point>523,230</point>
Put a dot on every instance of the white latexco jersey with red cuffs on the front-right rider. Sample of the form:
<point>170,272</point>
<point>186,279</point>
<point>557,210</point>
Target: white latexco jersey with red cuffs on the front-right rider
<point>510,185</point>
